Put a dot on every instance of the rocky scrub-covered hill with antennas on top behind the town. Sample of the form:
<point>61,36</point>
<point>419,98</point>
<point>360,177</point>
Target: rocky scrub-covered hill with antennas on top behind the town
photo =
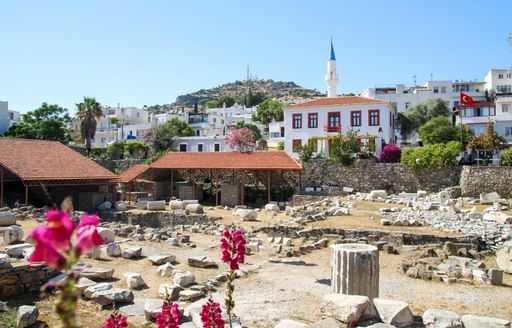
<point>238,89</point>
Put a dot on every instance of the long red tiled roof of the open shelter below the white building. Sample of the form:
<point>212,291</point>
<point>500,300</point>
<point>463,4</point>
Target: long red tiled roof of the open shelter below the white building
<point>257,160</point>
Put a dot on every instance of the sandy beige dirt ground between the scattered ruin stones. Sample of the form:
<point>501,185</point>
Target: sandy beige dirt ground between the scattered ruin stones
<point>278,288</point>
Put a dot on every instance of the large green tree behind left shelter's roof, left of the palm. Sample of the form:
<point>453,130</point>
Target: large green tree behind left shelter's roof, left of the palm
<point>48,122</point>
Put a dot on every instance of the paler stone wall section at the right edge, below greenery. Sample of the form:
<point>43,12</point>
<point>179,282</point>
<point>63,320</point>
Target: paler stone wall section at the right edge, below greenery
<point>475,180</point>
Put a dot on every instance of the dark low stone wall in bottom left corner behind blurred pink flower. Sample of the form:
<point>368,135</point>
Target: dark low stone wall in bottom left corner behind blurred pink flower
<point>24,277</point>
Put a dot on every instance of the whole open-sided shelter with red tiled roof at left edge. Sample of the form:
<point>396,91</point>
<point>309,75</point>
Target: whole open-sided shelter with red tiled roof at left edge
<point>47,164</point>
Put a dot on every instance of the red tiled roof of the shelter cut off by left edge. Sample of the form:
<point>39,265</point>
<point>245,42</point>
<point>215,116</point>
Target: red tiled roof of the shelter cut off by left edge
<point>48,160</point>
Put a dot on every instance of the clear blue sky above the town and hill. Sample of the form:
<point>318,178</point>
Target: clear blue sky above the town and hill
<point>148,52</point>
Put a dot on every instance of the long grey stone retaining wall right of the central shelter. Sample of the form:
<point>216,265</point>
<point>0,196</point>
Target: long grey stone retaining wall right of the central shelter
<point>366,175</point>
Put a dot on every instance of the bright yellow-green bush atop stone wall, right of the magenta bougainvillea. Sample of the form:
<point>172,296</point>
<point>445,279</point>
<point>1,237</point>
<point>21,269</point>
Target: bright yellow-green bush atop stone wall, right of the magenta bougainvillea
<point>432,156</point>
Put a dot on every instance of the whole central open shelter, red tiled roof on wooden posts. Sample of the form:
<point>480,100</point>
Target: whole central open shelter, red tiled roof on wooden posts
<point>258,165</point>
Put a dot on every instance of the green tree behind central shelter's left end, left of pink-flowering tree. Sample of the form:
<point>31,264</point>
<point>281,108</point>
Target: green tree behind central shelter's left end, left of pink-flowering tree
<point>161,137</point>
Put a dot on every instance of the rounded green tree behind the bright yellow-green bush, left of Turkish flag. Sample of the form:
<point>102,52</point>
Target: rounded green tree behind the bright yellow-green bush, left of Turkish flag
<point>441,130</point>
